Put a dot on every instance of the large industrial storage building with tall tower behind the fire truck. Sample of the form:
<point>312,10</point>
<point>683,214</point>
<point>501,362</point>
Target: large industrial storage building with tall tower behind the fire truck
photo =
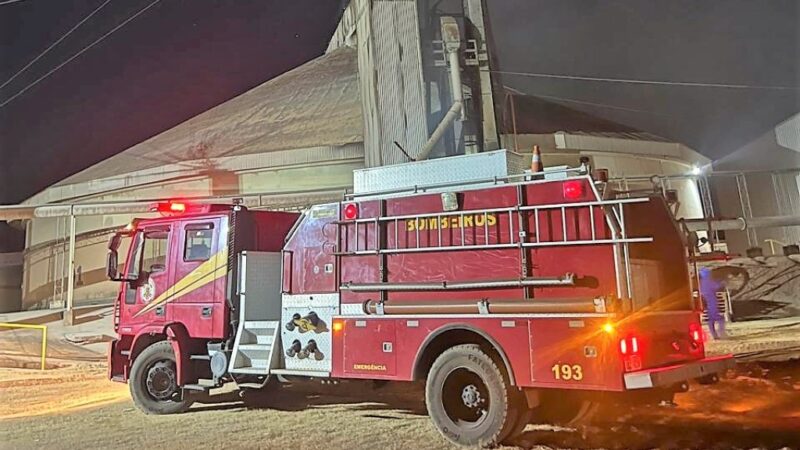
<point>376,96</point>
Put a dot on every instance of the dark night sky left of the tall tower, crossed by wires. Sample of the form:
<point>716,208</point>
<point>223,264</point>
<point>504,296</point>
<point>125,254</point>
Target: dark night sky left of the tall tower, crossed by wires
<point>176,60</point>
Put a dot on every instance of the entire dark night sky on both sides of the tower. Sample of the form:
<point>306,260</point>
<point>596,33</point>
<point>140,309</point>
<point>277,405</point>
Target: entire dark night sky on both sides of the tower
<point>182,57</point>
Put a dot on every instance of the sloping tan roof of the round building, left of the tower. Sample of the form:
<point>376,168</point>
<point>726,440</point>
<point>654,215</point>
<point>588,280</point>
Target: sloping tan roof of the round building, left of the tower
<point>316,104</point>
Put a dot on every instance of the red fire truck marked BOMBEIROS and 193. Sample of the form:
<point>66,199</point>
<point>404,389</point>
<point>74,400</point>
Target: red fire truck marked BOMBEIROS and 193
<point>517,299</point>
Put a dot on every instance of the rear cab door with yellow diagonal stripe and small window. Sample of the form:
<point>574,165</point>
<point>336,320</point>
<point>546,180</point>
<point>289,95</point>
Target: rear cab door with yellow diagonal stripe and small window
<point>200,269</point>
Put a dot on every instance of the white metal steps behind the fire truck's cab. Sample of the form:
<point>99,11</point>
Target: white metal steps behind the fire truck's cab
<point>254,351</point>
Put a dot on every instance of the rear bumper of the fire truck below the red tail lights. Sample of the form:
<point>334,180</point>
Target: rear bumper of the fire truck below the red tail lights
<point>667,376</point>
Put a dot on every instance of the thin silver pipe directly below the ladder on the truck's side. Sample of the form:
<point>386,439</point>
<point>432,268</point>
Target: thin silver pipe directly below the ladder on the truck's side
<point>566,280</point>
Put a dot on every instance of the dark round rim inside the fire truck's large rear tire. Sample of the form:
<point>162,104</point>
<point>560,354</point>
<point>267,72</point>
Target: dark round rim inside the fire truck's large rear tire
<point>465,398</point>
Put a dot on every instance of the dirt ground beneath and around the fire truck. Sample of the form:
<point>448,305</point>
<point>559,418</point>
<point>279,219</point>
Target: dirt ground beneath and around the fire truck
<point>74,406</point>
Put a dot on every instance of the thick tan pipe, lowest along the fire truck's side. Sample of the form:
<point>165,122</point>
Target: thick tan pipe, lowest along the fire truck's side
<point>519,307</point>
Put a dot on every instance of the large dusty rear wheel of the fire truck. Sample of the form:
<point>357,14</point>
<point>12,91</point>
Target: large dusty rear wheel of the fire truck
<point>461,383</point>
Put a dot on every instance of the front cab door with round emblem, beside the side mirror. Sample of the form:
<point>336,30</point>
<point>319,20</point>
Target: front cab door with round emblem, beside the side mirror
<point>144,302</point>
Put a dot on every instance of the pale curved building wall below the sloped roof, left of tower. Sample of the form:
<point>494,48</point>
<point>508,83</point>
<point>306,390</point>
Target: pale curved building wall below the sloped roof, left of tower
<point>45,257</point>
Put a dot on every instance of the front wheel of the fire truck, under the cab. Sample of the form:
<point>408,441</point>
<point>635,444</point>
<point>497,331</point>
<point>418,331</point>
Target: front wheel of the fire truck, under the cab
<point>152,383</point>
